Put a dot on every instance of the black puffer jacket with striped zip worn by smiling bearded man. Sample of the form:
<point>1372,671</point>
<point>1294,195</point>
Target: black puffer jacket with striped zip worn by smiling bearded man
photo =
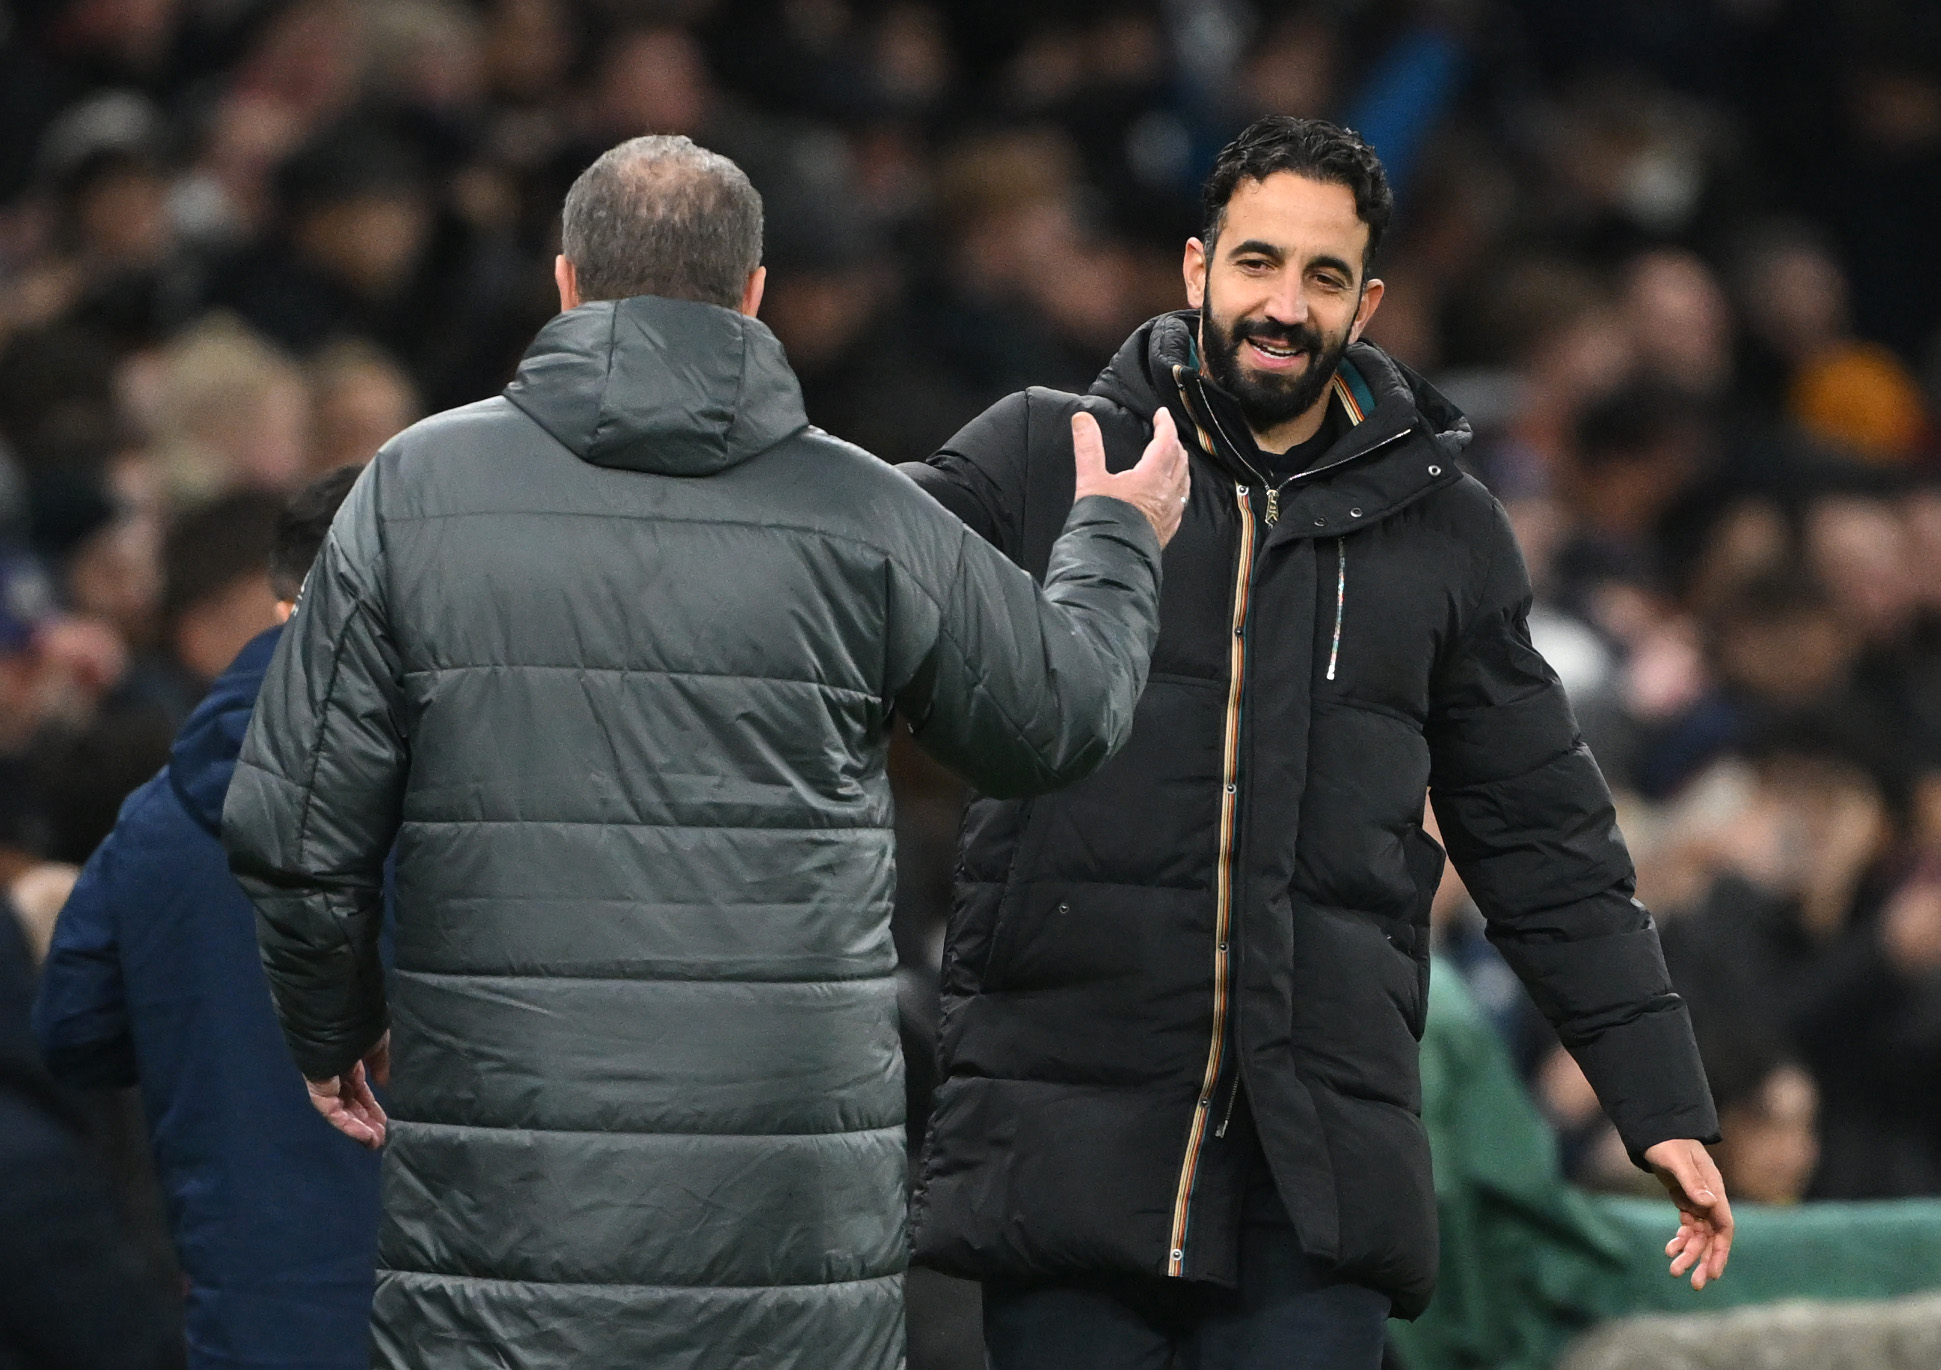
<point>1241,897</point>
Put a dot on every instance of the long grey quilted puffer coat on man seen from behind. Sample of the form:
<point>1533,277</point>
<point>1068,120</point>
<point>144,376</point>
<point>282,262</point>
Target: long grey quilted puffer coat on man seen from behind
<point>610,663</point>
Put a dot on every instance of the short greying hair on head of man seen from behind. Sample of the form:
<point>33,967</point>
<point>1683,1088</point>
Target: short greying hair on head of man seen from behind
<point>663,216</point>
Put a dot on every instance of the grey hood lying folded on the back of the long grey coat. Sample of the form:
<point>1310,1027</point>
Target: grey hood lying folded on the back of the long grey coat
<point>659,385</point>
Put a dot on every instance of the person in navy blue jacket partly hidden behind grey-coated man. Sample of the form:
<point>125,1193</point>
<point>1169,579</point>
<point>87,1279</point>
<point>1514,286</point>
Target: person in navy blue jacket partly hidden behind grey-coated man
<point>154,981</point>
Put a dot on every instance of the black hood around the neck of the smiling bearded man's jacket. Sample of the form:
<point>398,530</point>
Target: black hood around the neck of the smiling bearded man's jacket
<point>1160,366</point>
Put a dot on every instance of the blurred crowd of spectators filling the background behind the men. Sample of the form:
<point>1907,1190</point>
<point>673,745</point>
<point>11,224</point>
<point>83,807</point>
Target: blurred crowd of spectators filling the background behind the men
<point>1676,259</point>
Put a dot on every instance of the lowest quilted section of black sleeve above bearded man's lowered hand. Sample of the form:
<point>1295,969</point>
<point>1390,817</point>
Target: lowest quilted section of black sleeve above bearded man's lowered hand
<point>1651,1082</point>
